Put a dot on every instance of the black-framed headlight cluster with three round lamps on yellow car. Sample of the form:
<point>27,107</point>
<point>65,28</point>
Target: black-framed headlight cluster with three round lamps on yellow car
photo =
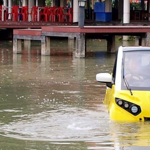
<point>128,106</point>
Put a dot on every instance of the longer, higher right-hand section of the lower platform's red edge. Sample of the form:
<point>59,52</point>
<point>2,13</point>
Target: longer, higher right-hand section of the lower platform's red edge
<point>98,29</point>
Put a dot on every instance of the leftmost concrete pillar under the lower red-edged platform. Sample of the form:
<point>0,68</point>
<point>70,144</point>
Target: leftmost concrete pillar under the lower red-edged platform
<point>17,46</point>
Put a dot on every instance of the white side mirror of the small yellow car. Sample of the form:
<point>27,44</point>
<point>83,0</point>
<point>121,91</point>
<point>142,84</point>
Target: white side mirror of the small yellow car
<point>104,78</point>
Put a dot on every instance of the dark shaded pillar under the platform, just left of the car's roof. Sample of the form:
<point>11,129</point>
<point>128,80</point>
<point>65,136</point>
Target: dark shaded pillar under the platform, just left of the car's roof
<point>111,44</point>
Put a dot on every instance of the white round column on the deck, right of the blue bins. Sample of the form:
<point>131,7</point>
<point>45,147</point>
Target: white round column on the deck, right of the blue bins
<point>126,11</point>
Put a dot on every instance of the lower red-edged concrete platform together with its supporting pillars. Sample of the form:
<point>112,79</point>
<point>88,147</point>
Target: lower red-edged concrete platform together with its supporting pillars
<point>80,35</point>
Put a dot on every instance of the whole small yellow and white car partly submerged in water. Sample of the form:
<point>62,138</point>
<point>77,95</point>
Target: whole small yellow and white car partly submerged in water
<point>128,87</point>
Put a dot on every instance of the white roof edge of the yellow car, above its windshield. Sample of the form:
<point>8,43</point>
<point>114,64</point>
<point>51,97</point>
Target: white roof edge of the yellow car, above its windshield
<point>134,48</point>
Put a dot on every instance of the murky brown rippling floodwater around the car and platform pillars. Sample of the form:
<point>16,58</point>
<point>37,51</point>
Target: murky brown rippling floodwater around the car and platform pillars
<point>55,103</point>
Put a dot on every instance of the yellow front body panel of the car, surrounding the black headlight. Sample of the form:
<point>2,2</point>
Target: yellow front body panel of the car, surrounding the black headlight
<point>141,98</point>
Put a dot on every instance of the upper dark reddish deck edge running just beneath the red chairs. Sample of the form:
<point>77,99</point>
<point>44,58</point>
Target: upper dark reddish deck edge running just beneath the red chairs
<point>40,24</point>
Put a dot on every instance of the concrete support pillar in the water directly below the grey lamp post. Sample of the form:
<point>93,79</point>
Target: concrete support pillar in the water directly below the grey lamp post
<point>80,46</point>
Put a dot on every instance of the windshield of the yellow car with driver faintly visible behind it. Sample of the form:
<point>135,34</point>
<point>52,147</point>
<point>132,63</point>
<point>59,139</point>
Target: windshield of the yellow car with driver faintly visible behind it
<point>136,70</point>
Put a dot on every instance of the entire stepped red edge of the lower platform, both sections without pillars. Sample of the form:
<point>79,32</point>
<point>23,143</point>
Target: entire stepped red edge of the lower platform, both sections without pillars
<point>87,30</point>
